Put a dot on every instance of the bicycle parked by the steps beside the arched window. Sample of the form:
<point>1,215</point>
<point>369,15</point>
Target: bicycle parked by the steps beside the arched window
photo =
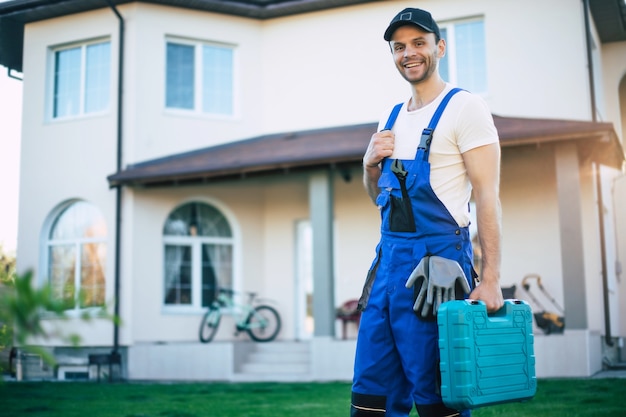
<point>261,322</point>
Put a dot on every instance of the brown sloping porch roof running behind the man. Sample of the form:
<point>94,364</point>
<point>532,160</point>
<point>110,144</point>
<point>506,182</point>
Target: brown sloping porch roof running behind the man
<point>340,146</point>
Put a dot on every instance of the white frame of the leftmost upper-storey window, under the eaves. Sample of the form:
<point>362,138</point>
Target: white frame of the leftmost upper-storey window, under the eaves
<point>82,93</point>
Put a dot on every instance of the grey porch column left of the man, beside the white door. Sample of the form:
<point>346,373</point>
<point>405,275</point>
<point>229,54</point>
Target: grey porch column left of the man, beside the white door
<point>321,209</point>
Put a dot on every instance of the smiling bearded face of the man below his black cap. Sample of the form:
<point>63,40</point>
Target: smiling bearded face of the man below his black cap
<point>415,53</point>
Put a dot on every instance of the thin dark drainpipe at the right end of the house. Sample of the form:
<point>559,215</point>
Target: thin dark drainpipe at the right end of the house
<point>605,287</point>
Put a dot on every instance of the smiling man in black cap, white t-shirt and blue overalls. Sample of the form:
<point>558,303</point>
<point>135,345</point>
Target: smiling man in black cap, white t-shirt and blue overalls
<point>422,185</point>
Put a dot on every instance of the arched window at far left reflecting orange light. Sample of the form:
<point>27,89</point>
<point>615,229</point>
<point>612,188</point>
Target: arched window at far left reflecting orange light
<point>76,256</point>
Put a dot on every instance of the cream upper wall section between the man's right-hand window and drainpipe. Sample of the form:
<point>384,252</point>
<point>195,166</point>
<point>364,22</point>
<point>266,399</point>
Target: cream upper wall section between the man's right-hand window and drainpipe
<point>527,71</point>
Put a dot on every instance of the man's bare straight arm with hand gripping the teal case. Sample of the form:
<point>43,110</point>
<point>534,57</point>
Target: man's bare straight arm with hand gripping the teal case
<point>483,169</point>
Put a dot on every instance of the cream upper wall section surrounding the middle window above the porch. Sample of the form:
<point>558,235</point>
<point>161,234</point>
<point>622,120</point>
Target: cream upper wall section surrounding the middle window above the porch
<point>153,131</point>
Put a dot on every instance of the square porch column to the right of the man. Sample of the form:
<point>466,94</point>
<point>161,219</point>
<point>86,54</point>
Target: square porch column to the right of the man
<point>571,233</point>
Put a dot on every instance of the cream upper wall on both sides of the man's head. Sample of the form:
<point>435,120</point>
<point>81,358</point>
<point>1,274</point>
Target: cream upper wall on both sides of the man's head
<point>344,72</point>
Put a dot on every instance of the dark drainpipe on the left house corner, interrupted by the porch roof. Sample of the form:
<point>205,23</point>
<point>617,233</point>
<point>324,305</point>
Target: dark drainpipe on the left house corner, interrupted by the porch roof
<point>118,188</point>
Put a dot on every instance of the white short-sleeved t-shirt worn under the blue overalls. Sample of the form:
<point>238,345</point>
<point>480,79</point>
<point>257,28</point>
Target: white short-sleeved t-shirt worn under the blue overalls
<point>466,123</point>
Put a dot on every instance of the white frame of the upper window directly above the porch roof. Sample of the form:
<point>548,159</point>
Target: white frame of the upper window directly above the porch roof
<point>198,82</point>
